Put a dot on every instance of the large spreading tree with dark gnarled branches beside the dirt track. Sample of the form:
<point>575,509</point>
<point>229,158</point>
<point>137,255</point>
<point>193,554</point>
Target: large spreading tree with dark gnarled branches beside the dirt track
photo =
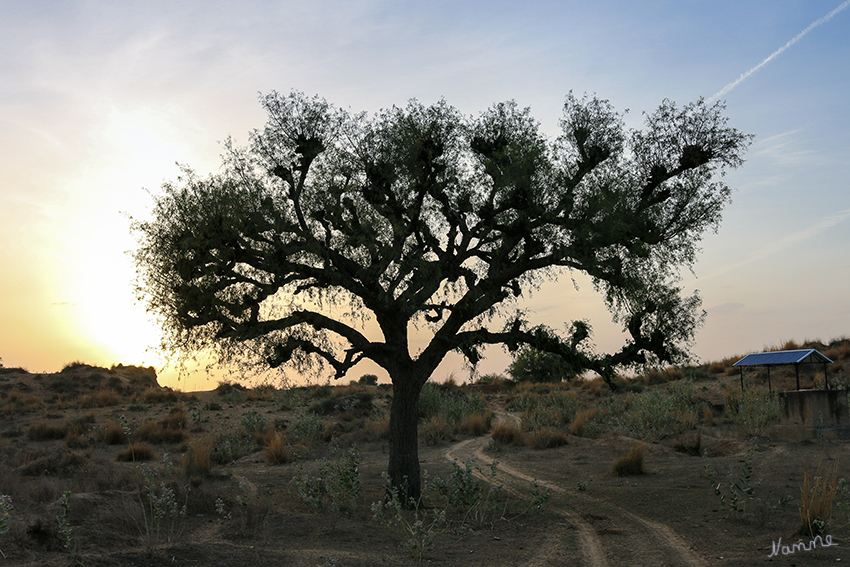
<point>423,220</point>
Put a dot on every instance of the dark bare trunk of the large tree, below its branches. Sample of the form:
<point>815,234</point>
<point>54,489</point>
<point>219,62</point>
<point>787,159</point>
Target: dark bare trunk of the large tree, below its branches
<point>403,467</point>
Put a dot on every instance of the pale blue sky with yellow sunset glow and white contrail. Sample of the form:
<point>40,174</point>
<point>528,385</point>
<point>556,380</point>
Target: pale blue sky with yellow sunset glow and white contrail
<point>99,101</point>
